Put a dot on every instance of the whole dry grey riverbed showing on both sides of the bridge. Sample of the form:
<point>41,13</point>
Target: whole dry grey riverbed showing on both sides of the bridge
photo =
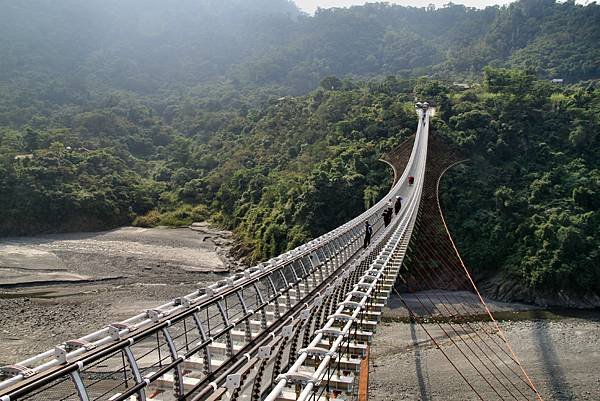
<point>58,287</point>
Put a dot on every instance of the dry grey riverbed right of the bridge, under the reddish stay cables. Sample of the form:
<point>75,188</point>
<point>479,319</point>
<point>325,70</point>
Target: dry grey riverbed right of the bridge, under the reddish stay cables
<point>560,351</point>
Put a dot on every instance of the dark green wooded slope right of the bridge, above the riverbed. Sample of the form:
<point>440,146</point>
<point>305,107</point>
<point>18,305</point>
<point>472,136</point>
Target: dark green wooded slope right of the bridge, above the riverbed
<point>528,201</point>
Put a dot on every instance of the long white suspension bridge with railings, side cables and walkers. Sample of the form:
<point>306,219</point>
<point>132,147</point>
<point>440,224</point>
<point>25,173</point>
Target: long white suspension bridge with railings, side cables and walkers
<point>298,327</point>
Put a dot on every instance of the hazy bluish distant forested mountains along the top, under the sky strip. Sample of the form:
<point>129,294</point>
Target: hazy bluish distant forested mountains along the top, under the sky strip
<point>63,50</point>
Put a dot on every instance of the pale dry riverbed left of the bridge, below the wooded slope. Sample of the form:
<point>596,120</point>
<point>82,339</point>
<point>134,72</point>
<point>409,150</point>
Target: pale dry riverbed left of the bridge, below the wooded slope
<point>57,287</point>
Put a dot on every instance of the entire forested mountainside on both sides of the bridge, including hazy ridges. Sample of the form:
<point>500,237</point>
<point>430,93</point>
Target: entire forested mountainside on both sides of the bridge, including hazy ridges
<point>270,122</point>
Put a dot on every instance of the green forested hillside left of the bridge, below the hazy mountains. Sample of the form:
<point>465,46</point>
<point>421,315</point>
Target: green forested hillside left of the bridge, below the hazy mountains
<point>278,174</point>
